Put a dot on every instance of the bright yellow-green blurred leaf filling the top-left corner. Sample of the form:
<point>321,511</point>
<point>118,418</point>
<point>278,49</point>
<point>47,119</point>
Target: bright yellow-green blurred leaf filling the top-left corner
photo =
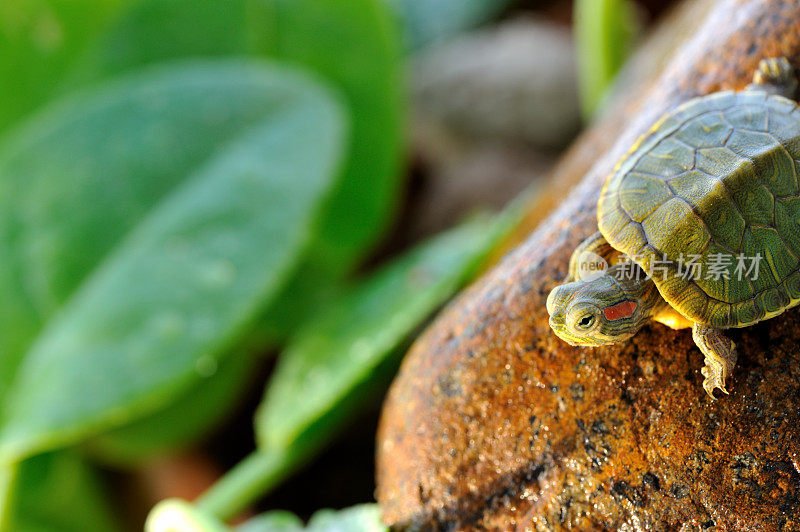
<point>39,41</point>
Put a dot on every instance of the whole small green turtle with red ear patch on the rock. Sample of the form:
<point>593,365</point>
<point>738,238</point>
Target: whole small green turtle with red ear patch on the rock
<point>699,226</point>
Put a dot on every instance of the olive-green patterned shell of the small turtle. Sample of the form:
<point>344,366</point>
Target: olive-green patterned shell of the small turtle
<point>714,183</point>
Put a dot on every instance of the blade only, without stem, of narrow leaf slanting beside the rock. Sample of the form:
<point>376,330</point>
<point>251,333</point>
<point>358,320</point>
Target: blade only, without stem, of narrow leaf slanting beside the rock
<point>339,349</point>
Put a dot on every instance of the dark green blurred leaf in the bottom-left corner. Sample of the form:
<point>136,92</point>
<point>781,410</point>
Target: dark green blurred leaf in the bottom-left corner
<point>59,492</point>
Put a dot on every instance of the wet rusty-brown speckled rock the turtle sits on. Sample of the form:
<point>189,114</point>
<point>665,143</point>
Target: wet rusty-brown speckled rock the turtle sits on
<point>495,424</point>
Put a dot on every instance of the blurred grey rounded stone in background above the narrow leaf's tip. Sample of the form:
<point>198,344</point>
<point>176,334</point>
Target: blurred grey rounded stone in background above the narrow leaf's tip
<point>515,82</point>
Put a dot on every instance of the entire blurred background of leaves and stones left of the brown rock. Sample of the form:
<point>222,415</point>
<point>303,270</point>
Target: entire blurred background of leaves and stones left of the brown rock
<point>222,222</point>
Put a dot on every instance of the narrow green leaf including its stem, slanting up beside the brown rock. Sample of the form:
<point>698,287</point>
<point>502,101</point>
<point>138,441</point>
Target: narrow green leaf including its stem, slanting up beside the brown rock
<point>336,359</point>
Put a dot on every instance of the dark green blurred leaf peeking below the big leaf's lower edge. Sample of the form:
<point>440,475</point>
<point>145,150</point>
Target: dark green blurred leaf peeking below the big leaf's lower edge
<point>189,417</point>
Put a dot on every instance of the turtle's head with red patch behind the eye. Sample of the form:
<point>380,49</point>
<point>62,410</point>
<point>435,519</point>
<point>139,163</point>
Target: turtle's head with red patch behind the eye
<point>597,311</point>
